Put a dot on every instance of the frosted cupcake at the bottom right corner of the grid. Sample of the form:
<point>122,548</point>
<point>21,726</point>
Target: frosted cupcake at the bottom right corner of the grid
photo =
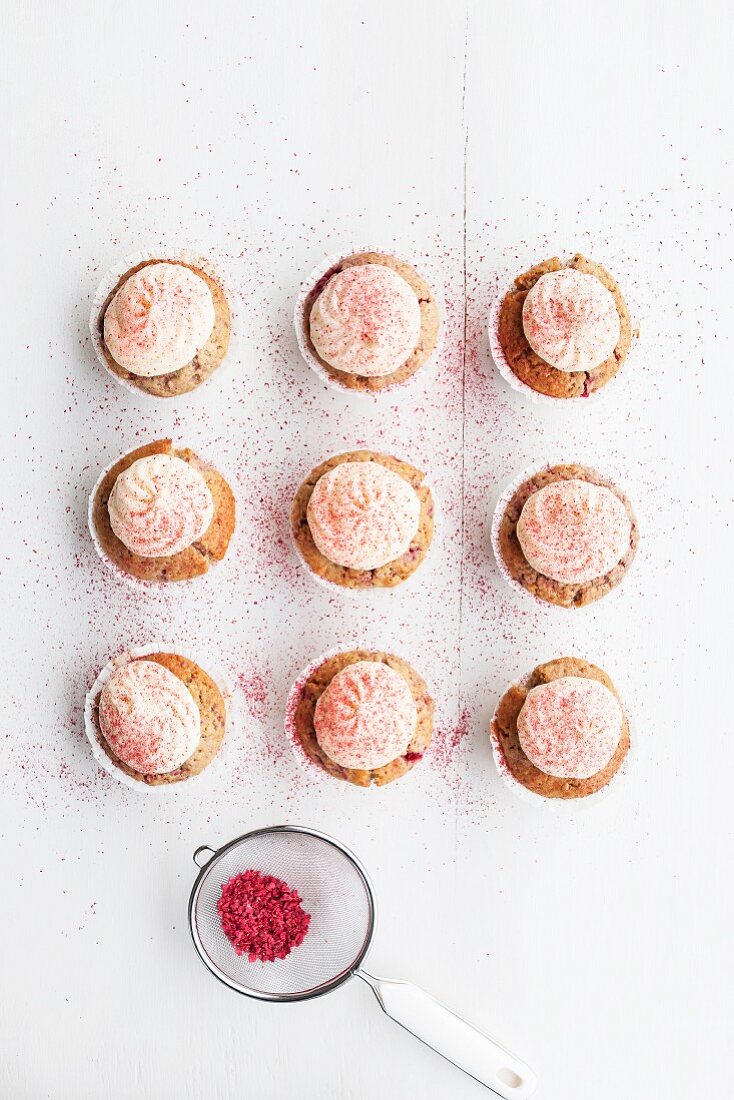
<point>562,733</point>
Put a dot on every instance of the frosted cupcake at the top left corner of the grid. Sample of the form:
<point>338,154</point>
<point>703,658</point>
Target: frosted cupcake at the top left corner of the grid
<point>163,327</point>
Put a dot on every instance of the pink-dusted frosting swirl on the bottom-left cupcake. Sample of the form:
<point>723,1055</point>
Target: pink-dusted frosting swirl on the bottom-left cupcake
<point>149,718</point>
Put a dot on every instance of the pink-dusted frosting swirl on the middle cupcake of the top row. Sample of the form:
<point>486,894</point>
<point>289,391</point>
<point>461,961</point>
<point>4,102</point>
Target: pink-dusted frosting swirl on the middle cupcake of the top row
<point>367,321</point>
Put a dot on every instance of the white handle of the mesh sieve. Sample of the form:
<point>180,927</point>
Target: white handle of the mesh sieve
<point>458,1041</point>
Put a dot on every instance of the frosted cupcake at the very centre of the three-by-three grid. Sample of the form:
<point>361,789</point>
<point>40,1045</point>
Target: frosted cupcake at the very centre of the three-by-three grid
<point>364,521</point>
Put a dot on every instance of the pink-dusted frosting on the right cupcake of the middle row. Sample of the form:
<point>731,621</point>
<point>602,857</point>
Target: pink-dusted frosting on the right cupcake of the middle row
<point>574,532</point>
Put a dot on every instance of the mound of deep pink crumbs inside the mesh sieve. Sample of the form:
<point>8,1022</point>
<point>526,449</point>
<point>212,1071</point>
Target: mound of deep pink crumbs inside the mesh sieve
<point>262,917</point>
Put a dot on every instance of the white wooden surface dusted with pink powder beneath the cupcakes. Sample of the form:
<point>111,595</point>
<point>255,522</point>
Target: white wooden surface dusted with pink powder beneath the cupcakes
<point>474,139</point>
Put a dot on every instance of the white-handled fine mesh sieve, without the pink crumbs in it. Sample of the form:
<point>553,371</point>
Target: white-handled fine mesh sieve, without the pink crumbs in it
<point>337,894</point>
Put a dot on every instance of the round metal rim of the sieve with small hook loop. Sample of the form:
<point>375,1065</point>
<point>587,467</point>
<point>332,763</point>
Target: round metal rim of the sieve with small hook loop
<point>220,854</point>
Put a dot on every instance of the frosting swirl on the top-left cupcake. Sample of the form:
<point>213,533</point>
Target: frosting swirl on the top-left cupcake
<point>159,320</point>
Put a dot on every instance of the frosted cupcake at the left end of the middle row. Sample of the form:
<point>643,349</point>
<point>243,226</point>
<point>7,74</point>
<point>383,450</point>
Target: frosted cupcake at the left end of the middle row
<point>161,514</point>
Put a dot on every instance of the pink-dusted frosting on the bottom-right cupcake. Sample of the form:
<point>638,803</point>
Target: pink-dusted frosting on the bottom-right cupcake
<point>571,728</point>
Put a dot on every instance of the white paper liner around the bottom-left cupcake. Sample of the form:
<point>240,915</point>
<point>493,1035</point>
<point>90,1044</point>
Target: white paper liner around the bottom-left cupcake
<point>106,763</point>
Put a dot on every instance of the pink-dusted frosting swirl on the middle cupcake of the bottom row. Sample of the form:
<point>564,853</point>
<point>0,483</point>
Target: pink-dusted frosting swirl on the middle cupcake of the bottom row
<point>367,717</point>
